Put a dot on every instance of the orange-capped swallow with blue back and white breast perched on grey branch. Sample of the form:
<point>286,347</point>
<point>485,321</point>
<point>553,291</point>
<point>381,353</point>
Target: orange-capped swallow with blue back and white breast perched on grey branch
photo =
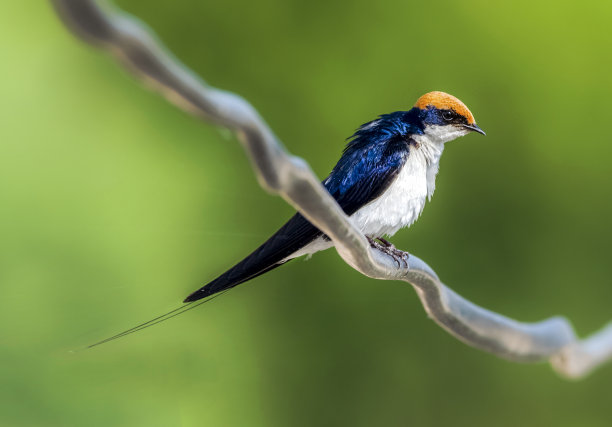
<point>385,175</point>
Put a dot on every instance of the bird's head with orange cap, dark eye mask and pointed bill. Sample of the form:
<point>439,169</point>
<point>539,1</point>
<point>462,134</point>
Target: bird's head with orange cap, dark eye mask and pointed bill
<point>444,117</point>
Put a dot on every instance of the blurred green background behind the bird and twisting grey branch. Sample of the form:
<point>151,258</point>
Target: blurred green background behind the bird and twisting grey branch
<point>114,206</point>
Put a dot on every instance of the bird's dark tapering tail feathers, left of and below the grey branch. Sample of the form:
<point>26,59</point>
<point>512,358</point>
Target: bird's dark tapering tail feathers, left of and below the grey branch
<point>294,235</point>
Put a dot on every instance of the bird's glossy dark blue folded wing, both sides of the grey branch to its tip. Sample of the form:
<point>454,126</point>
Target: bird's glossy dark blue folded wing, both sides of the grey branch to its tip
<point>366,168</point>
